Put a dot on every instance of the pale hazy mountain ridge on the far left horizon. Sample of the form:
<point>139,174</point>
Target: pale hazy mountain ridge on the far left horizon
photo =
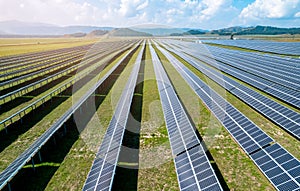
<point>14,27</point>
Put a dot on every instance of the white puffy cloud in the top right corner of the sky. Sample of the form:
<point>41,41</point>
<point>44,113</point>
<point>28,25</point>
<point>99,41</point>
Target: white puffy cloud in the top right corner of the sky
<point>270,9</point>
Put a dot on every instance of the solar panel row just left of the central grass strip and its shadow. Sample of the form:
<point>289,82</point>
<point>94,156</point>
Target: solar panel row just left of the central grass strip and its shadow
<point>103,169</point>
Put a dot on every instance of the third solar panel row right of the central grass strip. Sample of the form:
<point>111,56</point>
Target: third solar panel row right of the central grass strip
<point>286,118</point>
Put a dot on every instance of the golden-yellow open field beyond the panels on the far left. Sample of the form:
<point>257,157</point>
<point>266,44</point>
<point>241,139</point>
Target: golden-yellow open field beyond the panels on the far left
<point>12,46</point>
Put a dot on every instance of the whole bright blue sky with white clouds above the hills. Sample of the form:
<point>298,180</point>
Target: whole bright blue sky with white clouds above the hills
<point>204,14</point>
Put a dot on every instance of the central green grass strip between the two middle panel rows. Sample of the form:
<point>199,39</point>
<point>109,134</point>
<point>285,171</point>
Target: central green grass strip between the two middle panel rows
<point>157,170</point>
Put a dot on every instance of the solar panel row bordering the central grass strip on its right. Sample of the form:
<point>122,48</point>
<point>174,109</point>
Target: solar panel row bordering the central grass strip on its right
<point>194,171</point>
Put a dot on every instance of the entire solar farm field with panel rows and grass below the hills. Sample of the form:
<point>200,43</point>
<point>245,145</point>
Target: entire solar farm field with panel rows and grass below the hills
<point>149,114</point>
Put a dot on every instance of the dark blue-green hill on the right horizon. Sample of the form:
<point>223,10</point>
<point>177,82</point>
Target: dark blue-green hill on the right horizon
<point>258,30</point>
